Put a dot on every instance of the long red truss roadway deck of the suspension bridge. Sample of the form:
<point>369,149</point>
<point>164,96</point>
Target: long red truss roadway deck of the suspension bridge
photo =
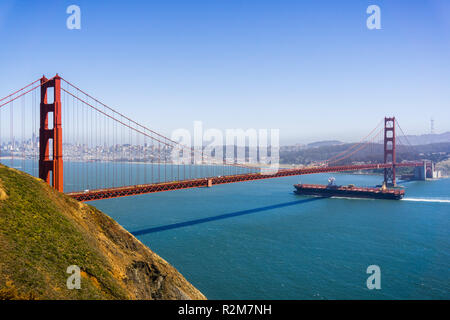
<point>108,193</point>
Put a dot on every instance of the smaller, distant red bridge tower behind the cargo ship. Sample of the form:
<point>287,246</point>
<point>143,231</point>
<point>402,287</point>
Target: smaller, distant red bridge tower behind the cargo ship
<point>389,151</point>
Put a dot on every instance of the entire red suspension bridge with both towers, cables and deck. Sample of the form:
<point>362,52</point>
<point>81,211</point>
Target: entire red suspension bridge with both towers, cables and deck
<point>77,142</point>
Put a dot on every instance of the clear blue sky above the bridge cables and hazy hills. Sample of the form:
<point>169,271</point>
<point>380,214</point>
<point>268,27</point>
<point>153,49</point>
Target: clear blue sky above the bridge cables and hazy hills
<point>310,68</point>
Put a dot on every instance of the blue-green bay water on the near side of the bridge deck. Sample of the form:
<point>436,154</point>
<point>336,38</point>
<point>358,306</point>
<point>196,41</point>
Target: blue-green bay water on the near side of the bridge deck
<point>258,240</point>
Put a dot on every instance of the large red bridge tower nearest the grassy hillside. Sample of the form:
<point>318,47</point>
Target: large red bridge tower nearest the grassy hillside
<point>51,163</point>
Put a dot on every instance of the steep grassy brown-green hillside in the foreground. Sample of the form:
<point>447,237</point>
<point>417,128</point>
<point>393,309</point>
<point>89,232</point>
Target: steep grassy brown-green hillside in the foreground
<point>42,232</point>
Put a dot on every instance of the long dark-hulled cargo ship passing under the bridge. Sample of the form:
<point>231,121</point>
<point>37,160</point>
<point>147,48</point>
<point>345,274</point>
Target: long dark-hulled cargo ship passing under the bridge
<point>350,191</point>
